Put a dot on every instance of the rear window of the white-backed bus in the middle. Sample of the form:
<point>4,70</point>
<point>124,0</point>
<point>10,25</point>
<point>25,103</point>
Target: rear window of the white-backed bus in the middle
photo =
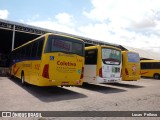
<point>111,56</point>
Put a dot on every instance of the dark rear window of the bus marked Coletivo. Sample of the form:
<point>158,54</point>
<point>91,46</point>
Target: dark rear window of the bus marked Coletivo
<point>63,44</point>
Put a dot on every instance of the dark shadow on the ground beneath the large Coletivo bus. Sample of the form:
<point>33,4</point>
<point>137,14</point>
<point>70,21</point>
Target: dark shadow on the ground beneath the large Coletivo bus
<point>49,94</point>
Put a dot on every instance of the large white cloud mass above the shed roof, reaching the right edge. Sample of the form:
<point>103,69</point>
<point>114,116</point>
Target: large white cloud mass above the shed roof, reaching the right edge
<point>134,23</point>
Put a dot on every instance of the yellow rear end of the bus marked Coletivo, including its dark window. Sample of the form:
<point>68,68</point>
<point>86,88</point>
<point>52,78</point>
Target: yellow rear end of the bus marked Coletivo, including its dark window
<point>63,61</point>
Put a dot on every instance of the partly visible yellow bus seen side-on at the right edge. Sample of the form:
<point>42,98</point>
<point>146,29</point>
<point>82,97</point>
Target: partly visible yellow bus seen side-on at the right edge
<point>150,68</point>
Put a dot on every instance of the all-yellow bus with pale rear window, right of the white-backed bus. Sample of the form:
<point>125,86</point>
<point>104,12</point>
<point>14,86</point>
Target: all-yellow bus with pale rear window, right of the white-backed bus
<point>130,66</point>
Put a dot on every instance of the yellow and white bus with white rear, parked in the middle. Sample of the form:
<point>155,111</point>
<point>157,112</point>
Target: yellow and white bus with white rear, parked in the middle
<point>102,64</point>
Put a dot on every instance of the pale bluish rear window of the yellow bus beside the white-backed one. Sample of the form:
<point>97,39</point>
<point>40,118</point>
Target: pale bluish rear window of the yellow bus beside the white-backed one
<point>133,57</point>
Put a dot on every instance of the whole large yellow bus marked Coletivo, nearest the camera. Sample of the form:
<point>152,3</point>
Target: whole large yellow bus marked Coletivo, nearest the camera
<point>49,60</point>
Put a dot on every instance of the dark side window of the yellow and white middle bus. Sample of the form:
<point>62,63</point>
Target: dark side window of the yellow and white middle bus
<point>91,57</point>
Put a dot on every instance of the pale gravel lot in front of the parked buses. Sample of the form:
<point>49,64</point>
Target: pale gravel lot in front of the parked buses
<point>142,95</point>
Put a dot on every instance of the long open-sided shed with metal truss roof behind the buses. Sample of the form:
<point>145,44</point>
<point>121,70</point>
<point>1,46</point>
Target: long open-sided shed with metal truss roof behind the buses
<point>14,34</point>
